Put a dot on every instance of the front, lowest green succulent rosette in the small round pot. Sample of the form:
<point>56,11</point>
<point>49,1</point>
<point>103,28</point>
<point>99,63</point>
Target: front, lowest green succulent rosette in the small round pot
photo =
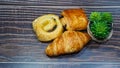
<point>100,30</point>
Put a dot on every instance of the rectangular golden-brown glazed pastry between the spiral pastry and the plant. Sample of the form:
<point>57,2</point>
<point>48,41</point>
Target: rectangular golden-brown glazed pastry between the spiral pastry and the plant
<point>74,19</point>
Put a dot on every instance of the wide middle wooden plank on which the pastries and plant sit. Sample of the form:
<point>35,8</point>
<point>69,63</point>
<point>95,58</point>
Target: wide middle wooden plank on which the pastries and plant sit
<point>18,42</point>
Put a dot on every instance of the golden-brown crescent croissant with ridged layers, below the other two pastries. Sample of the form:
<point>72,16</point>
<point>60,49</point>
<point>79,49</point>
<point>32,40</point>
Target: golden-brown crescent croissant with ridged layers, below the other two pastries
<point>68,42</point>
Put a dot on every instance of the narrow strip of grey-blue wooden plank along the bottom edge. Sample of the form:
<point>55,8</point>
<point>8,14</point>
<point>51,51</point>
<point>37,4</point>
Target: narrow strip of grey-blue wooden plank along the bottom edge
<point>56,65</point>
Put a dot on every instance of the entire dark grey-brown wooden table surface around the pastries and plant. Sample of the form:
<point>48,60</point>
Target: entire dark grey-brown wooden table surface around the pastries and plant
<point>18,42</point>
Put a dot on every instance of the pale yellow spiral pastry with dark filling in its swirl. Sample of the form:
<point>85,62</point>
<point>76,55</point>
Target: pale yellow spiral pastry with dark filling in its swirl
<point>47,27</point>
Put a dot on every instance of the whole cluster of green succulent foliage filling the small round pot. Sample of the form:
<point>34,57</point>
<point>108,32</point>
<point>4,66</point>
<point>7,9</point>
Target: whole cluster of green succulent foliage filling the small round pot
<point>100,24</point>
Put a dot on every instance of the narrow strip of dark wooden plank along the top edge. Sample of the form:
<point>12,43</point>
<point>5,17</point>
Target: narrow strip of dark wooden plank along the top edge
<point>61,2</point>
